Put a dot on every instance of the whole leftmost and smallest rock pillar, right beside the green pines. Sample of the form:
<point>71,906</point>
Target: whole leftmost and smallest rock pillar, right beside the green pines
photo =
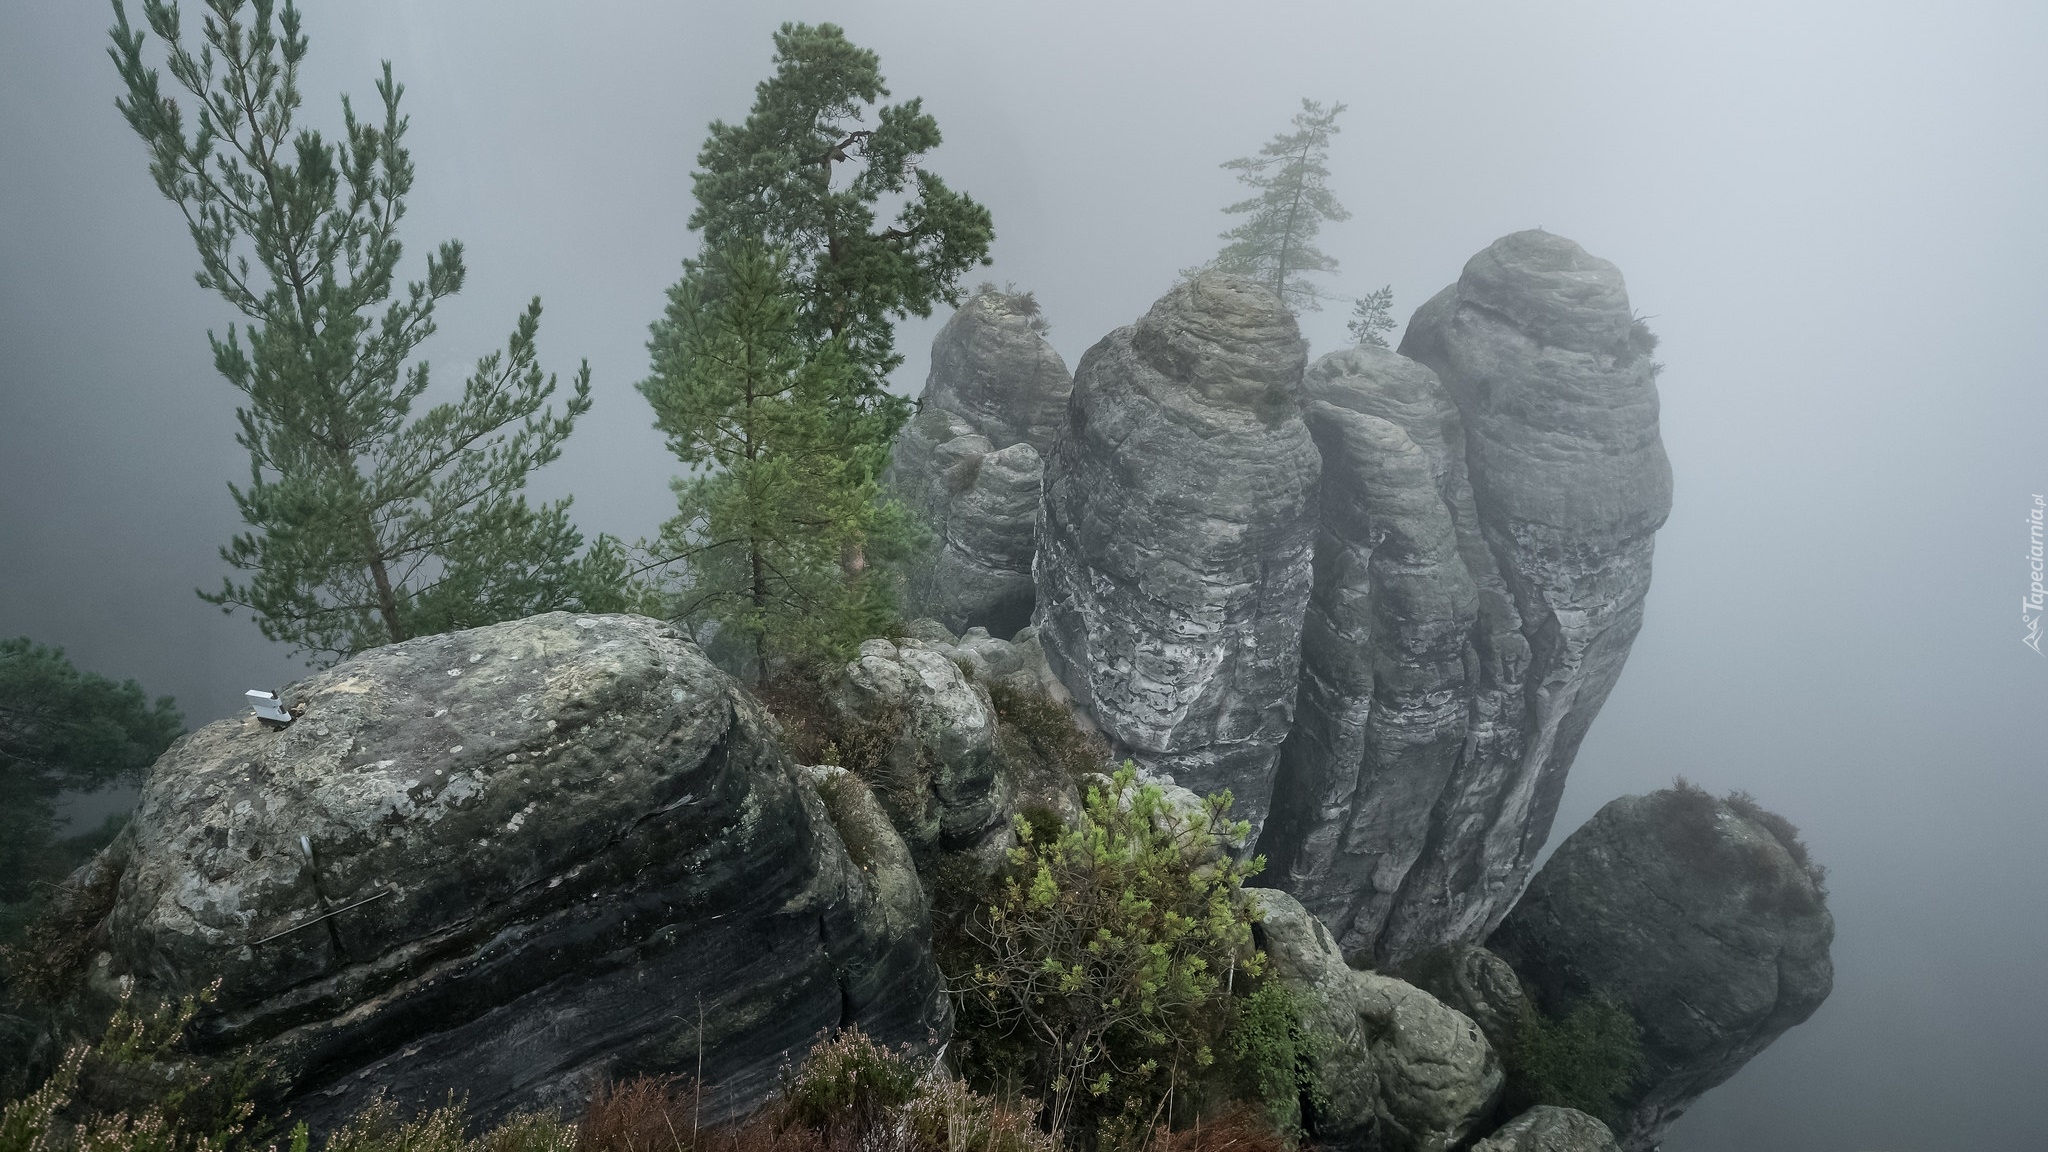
<point>972,460</point>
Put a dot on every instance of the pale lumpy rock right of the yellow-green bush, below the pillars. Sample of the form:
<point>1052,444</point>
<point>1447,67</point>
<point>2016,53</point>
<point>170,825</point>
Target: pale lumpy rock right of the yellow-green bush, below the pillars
<point>1406,1073</point>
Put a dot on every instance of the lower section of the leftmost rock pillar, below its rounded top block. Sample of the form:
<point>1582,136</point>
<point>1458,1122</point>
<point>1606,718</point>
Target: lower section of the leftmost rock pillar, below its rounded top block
<point>982,505</point>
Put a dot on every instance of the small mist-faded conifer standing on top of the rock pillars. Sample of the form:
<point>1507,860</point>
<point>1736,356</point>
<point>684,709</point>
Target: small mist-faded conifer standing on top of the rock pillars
<point>1277,241</point>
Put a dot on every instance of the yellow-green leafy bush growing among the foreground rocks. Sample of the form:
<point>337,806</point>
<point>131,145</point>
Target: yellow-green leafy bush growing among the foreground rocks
<point>1101,964</point>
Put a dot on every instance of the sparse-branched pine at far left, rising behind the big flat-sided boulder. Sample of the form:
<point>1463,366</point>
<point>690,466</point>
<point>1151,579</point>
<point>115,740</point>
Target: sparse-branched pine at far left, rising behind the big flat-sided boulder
<point>368,522</point>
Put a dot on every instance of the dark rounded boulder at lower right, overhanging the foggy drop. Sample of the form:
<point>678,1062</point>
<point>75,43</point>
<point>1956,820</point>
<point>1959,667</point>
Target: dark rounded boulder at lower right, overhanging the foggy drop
<point>1699,917</point>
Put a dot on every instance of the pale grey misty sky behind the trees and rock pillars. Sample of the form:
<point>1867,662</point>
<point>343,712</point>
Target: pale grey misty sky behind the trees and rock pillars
<point>1832,212</point>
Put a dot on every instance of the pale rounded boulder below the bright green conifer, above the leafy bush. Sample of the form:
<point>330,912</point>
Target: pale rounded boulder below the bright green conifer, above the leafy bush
<point>941,776</point>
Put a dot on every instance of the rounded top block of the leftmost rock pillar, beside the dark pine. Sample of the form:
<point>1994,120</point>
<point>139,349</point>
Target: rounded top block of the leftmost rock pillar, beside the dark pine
<point>992,366</point>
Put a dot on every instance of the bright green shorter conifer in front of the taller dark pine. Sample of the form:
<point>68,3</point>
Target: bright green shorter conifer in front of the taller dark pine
<point>781,487</point>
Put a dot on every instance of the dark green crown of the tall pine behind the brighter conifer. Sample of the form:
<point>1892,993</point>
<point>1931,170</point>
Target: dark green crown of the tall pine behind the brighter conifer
<point>773,179</point>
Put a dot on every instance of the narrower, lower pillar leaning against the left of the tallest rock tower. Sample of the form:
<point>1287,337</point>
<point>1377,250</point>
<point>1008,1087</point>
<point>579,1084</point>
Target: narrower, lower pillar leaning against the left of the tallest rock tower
<point>1412,655</point>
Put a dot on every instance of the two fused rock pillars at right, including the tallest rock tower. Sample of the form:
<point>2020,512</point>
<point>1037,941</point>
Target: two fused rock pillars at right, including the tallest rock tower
<point>1480,577</point>
